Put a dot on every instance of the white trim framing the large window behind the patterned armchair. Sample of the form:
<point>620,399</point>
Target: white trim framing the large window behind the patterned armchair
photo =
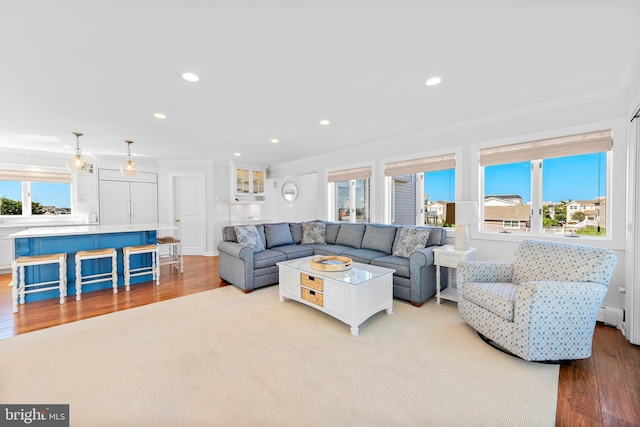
<point>615,188</point>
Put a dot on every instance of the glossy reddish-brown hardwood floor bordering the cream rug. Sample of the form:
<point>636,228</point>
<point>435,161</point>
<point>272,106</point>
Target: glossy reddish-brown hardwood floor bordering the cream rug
<point>603,390</point>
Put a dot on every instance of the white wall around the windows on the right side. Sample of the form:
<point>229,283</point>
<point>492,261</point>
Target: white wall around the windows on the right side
<point>464,136</point>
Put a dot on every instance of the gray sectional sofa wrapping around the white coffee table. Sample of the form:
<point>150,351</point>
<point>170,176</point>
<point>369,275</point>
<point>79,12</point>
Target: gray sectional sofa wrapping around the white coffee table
<point>413,281</point>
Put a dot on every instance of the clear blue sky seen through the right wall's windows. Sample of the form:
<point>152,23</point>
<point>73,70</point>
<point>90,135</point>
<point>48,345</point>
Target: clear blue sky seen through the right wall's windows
<point>580,177</point>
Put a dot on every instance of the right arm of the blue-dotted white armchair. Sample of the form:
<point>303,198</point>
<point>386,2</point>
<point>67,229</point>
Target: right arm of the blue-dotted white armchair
<point>551,317</point>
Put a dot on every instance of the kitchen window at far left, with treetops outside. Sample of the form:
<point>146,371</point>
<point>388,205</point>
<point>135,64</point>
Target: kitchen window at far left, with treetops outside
<point>34,193</point>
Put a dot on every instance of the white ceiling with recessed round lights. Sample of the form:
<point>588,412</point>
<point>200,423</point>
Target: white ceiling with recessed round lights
<point>273,69</point>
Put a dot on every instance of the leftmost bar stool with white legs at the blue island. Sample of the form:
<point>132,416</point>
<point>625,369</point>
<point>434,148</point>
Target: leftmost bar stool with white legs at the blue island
<point>21,288</point>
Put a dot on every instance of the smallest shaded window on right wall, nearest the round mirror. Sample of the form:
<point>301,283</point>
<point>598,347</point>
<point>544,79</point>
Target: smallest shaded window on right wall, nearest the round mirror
<point>352,192</point>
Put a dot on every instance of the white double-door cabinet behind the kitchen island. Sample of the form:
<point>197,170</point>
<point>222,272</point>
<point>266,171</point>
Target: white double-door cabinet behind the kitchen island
<point>133,201</point>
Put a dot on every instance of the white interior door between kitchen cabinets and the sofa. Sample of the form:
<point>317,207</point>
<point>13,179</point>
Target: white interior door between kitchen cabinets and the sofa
<point>189,210</point>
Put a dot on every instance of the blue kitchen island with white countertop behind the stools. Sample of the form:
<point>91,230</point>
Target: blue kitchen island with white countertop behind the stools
<point>70,239</point>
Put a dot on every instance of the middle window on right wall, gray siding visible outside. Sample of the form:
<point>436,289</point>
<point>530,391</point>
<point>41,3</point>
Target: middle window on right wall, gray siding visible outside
<point>423,190</point>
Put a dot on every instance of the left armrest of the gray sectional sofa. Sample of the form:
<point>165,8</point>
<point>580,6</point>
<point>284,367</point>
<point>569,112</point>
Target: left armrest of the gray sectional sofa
<point>235,265</point>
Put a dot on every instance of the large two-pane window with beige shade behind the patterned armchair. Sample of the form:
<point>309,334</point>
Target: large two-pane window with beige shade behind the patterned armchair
<point>553,186</point>
